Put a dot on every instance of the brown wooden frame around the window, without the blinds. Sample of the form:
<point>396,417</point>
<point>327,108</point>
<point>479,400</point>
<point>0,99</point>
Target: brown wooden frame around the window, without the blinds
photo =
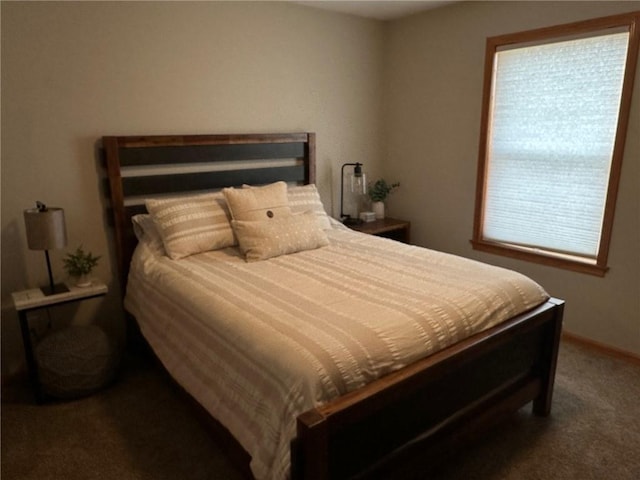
<point>584,28</point>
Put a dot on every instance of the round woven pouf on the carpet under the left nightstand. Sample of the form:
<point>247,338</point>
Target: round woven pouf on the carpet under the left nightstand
<point>75,361</point>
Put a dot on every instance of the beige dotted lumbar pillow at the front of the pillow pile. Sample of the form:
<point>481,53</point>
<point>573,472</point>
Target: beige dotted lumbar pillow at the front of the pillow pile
<point>260,240</point>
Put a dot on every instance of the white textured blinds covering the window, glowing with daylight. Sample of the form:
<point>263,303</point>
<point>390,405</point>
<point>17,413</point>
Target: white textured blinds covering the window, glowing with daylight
<point>554,115</point>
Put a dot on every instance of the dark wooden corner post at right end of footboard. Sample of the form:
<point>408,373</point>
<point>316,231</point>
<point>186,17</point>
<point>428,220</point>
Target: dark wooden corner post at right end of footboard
<point>553,332</point>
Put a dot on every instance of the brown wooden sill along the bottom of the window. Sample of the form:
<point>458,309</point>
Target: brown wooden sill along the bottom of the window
<point>558,261</point>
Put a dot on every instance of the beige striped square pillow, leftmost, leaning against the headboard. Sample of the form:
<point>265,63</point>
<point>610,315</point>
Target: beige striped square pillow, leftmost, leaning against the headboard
<point>192,224</point>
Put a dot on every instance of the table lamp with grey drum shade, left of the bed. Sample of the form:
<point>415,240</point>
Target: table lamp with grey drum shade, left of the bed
<point>46,230</point>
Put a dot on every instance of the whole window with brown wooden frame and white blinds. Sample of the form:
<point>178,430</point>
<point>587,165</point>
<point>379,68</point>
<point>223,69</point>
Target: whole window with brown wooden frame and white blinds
<point>555,109</point>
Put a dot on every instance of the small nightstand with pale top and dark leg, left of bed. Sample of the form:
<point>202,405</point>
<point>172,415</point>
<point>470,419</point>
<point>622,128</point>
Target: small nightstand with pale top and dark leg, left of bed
<point>30,300</point>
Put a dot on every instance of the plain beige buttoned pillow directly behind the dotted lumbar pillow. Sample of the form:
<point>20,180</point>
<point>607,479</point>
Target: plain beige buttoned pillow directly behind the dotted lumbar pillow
<point>258,203</point>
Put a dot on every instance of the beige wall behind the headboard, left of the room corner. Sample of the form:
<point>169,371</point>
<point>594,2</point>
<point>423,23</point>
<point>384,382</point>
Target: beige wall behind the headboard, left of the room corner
<point>72,72</point>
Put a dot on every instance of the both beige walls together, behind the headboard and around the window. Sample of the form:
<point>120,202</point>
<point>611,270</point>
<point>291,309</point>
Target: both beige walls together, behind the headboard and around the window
<point>72,72</point>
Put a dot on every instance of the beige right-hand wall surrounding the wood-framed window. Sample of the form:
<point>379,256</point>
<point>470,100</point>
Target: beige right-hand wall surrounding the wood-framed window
<point>433,81</point>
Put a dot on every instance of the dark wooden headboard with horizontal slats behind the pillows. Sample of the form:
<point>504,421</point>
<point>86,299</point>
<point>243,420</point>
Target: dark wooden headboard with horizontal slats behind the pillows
<point>152,166</point>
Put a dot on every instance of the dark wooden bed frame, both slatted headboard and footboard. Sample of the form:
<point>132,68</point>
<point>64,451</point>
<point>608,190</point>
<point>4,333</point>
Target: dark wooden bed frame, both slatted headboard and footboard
<point>420,412</point>
